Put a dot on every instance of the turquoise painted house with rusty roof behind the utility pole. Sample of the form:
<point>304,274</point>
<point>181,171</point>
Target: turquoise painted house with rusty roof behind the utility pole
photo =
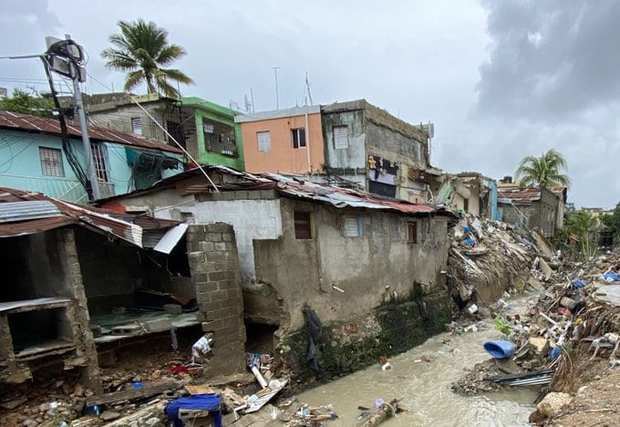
<point>32,157</point>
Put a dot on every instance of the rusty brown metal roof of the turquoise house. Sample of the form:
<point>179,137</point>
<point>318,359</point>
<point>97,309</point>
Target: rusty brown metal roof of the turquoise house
<point>25,122</point>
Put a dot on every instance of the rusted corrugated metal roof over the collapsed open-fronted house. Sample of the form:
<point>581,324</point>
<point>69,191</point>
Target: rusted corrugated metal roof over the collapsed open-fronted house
<point>127,227</point>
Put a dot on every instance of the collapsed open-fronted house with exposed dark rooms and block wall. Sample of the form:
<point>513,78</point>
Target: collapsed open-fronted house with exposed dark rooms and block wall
<point>88,286</point>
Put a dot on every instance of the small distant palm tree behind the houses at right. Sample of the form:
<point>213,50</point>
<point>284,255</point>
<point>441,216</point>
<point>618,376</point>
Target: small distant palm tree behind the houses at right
<point>545,171</point>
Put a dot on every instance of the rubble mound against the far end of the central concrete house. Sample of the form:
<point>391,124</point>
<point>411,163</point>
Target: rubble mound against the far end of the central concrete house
<point>488,258</point>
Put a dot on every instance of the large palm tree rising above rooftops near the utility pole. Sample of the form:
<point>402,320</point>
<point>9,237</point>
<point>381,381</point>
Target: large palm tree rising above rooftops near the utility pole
<point>141,49</point>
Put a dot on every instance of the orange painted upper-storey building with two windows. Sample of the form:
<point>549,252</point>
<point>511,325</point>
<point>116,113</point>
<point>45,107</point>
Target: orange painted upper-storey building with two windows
<point>287,141</point>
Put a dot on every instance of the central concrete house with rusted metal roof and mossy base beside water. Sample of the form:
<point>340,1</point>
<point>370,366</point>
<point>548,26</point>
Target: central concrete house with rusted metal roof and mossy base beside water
<point>371,268</point>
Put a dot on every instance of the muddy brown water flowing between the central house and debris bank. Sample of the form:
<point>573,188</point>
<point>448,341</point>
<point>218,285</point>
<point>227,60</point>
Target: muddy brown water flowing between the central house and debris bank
<point>425,386</point>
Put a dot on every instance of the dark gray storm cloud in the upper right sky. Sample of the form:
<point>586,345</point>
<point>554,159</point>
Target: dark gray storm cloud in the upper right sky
<point>550,60</point>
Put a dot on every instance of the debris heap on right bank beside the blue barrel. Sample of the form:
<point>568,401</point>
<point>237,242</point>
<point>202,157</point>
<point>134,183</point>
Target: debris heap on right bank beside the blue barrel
<point>569,335</point>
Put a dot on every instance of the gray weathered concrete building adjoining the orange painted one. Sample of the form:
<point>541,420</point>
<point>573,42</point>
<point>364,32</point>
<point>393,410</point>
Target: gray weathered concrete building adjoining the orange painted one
<point>382,153</point>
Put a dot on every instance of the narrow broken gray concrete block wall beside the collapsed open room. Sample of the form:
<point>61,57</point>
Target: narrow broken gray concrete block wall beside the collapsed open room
<point>214,266</point>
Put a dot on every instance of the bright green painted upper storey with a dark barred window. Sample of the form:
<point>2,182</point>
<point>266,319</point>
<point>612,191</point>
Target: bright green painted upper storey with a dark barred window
<point>217,138</point>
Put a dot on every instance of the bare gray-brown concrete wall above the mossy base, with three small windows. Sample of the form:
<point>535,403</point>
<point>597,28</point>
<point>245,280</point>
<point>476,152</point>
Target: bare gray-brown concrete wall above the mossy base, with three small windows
<point>377,266</point>
